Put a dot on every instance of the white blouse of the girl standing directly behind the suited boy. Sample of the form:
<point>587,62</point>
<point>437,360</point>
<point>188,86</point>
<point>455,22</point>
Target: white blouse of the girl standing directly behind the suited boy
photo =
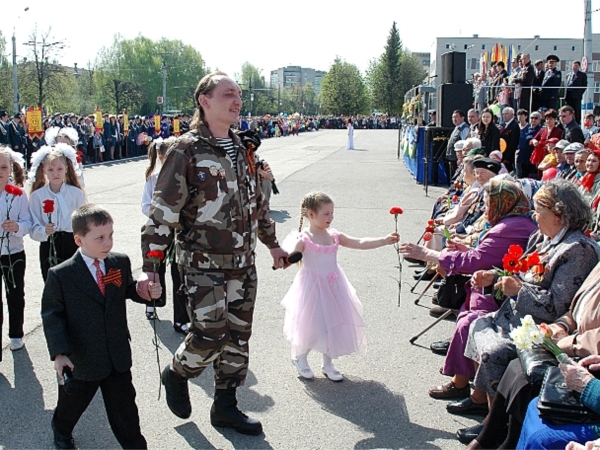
<point>66,200</point>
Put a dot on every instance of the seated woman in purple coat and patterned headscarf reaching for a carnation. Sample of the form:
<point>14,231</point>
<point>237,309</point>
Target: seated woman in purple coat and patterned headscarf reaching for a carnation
<point>509,222</point>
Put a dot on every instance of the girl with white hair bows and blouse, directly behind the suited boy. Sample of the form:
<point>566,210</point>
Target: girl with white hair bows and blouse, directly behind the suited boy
<point>55,187</point>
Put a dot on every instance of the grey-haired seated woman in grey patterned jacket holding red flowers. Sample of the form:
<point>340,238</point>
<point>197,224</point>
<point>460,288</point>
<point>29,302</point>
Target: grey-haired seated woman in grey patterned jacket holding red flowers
<point>567,256</point>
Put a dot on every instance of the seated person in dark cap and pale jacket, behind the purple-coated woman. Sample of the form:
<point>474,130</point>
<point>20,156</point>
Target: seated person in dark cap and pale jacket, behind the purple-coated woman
<point>477,172</point>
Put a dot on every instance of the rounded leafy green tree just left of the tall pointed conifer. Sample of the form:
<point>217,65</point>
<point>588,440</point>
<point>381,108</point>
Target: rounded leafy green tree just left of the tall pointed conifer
<point>343,90</point>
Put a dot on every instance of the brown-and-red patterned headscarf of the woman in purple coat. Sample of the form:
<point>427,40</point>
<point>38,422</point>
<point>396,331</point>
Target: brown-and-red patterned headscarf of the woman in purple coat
<point>506,199</point>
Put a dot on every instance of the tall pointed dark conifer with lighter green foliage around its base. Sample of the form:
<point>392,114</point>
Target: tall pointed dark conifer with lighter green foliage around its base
<point>393,73</point>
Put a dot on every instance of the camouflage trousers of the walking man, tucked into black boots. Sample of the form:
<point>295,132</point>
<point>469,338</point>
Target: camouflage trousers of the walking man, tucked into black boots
<point>220,306</point>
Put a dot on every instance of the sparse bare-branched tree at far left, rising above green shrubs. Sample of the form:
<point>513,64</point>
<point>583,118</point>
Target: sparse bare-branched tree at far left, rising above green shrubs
<point>42,73</point>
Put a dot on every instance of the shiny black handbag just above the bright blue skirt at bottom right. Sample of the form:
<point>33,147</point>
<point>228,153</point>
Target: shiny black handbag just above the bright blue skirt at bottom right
<point>559,405</point>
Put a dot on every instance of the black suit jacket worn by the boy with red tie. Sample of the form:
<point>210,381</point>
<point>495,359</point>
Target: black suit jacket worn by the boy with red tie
<point>85,325</point>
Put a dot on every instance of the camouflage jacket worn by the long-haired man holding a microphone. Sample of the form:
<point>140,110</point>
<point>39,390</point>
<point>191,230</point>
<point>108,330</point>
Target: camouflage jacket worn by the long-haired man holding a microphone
<point>216,213</point>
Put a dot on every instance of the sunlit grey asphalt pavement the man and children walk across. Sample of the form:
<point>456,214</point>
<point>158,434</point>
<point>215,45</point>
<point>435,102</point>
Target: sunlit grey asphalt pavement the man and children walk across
<point>382,402</point>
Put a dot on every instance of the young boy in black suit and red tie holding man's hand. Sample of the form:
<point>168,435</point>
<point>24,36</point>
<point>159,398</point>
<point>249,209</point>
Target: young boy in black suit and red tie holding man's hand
<point>85,323</point>
